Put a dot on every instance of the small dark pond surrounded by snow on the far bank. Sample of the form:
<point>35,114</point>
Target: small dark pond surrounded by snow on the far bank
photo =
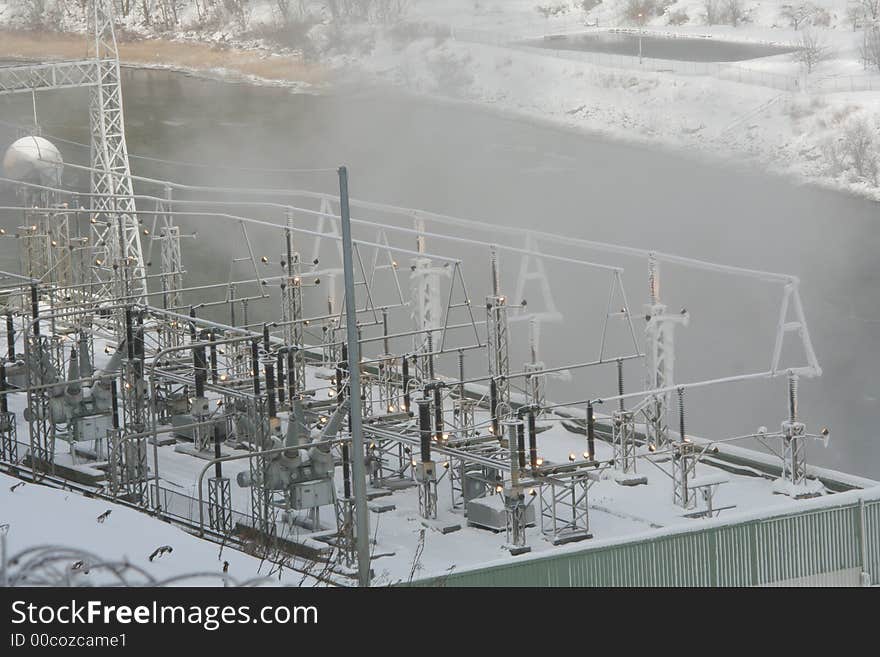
<point>680,49</point>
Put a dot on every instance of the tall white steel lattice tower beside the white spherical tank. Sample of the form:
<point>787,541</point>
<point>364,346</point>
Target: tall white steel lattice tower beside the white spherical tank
<point>115,233</point>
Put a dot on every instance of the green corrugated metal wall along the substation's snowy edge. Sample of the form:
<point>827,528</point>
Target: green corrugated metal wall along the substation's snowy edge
<point>825,542</point>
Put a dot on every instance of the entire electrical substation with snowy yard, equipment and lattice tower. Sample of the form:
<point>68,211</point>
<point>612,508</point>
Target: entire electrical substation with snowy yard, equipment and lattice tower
<point>335,400</point>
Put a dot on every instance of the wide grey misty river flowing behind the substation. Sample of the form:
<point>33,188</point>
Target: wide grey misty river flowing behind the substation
<point>473,163</point>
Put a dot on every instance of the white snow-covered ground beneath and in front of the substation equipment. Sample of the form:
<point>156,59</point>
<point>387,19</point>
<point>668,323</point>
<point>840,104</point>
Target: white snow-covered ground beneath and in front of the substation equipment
<point>405,544</point>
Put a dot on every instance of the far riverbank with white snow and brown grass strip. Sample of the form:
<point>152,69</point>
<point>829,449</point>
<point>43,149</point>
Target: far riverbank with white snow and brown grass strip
<point>821,127</point>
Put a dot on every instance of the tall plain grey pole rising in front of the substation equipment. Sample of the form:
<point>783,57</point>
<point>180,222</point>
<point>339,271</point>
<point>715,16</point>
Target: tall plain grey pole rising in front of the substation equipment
<point>354,367</point>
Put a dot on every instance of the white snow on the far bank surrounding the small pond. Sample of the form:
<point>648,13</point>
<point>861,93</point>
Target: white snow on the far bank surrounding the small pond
<point>761,119</point>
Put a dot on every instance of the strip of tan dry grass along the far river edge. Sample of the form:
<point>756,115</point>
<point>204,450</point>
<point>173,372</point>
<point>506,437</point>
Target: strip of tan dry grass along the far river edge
<point>189,56</point>
